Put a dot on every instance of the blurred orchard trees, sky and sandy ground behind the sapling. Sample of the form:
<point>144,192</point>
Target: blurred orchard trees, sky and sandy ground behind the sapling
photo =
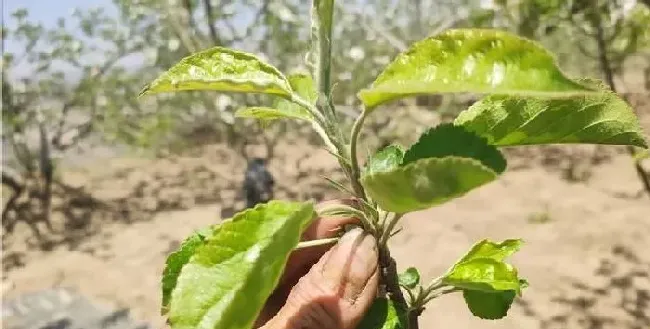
<point>99,187</point>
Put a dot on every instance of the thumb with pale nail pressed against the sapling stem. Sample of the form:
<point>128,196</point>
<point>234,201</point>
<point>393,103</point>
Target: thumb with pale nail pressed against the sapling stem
<point>337,291</point>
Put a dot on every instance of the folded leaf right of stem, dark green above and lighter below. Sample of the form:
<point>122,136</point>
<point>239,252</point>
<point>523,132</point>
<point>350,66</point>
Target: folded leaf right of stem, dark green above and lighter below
<point>445,163</point>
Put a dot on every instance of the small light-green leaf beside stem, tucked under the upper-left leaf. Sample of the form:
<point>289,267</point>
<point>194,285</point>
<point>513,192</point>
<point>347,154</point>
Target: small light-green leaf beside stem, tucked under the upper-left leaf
<point>303,86</point>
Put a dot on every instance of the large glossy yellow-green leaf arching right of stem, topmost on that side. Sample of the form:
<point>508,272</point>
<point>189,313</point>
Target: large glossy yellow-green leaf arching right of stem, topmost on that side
<point>472,60</point>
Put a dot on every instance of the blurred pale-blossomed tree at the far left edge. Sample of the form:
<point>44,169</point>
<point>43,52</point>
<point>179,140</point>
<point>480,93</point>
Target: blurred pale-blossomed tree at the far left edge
<point>56,90</point>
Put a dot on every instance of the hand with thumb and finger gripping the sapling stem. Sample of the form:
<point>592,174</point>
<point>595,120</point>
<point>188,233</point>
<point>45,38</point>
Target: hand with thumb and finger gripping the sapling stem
<point>325,287</point>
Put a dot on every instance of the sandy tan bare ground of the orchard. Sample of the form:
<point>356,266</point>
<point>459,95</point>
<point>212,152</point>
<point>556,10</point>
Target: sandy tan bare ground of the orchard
<point>585,254</point>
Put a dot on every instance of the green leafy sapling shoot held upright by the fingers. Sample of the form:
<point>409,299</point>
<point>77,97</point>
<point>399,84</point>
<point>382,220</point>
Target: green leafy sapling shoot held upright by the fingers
<point>221,277</point>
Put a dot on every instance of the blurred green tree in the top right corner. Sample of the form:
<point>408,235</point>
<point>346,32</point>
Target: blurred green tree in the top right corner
<point>603,34</point>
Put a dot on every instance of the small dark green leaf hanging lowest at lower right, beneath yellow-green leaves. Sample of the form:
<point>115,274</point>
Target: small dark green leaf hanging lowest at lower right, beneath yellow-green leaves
<point>489,305</point>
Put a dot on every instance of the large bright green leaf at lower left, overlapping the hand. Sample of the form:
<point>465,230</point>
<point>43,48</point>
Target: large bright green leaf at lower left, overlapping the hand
<point>230,276</point>
